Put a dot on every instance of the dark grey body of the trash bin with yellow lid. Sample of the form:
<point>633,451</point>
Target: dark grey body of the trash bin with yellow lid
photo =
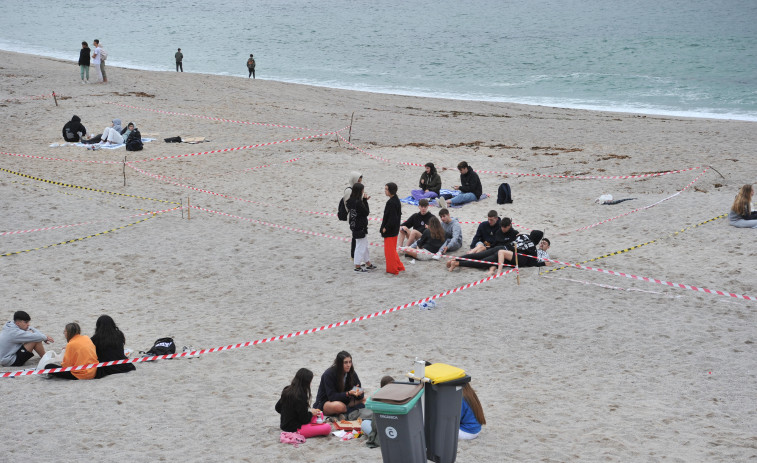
<point>443,403</point>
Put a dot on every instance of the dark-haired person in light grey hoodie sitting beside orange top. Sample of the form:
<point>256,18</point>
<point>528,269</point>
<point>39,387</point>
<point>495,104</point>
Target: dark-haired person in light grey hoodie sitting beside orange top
<point>19,341</point>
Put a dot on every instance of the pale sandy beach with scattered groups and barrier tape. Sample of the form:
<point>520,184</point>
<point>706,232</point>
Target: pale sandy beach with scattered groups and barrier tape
<point>570,365</point>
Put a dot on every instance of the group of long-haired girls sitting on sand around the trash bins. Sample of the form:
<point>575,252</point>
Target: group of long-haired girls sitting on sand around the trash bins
<point>340,396</point>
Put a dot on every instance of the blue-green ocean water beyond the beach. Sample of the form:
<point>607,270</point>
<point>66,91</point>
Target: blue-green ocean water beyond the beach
<point>673,57</point>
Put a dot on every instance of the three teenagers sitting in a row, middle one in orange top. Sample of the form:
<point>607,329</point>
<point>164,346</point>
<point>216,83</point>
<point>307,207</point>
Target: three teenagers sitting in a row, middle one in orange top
<point>19,341</point>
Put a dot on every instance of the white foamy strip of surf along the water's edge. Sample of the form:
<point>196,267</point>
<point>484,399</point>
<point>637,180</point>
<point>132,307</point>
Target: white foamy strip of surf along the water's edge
<point>454,97</point>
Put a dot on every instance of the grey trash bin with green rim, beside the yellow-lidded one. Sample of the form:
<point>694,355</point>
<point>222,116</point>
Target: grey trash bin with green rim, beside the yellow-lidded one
<point>400,429</point>
